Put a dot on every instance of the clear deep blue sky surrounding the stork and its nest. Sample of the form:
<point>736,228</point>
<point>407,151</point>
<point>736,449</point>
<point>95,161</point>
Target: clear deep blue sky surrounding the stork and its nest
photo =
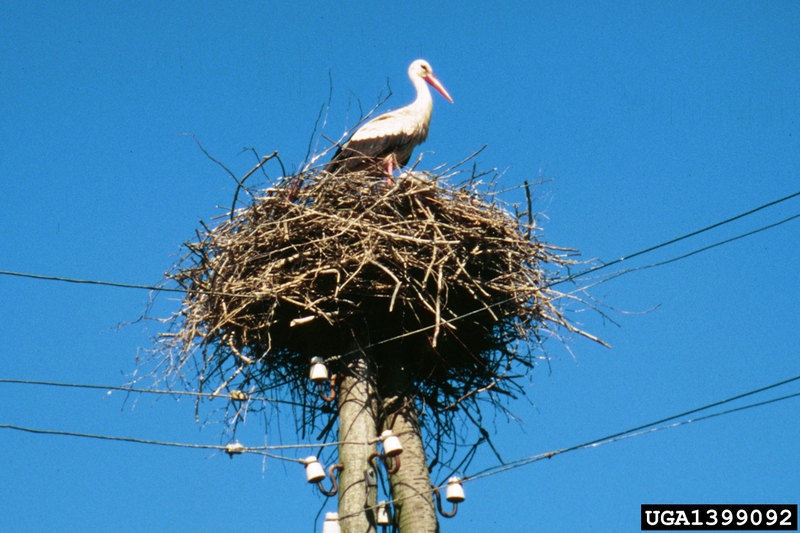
<point>646,120</point>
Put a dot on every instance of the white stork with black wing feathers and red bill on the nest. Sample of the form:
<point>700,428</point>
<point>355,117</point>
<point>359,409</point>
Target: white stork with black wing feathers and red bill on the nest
<point>386,142</point>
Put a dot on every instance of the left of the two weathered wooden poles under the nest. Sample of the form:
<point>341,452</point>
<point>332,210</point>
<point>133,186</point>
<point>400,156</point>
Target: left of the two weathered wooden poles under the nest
<point>357,426</point>
